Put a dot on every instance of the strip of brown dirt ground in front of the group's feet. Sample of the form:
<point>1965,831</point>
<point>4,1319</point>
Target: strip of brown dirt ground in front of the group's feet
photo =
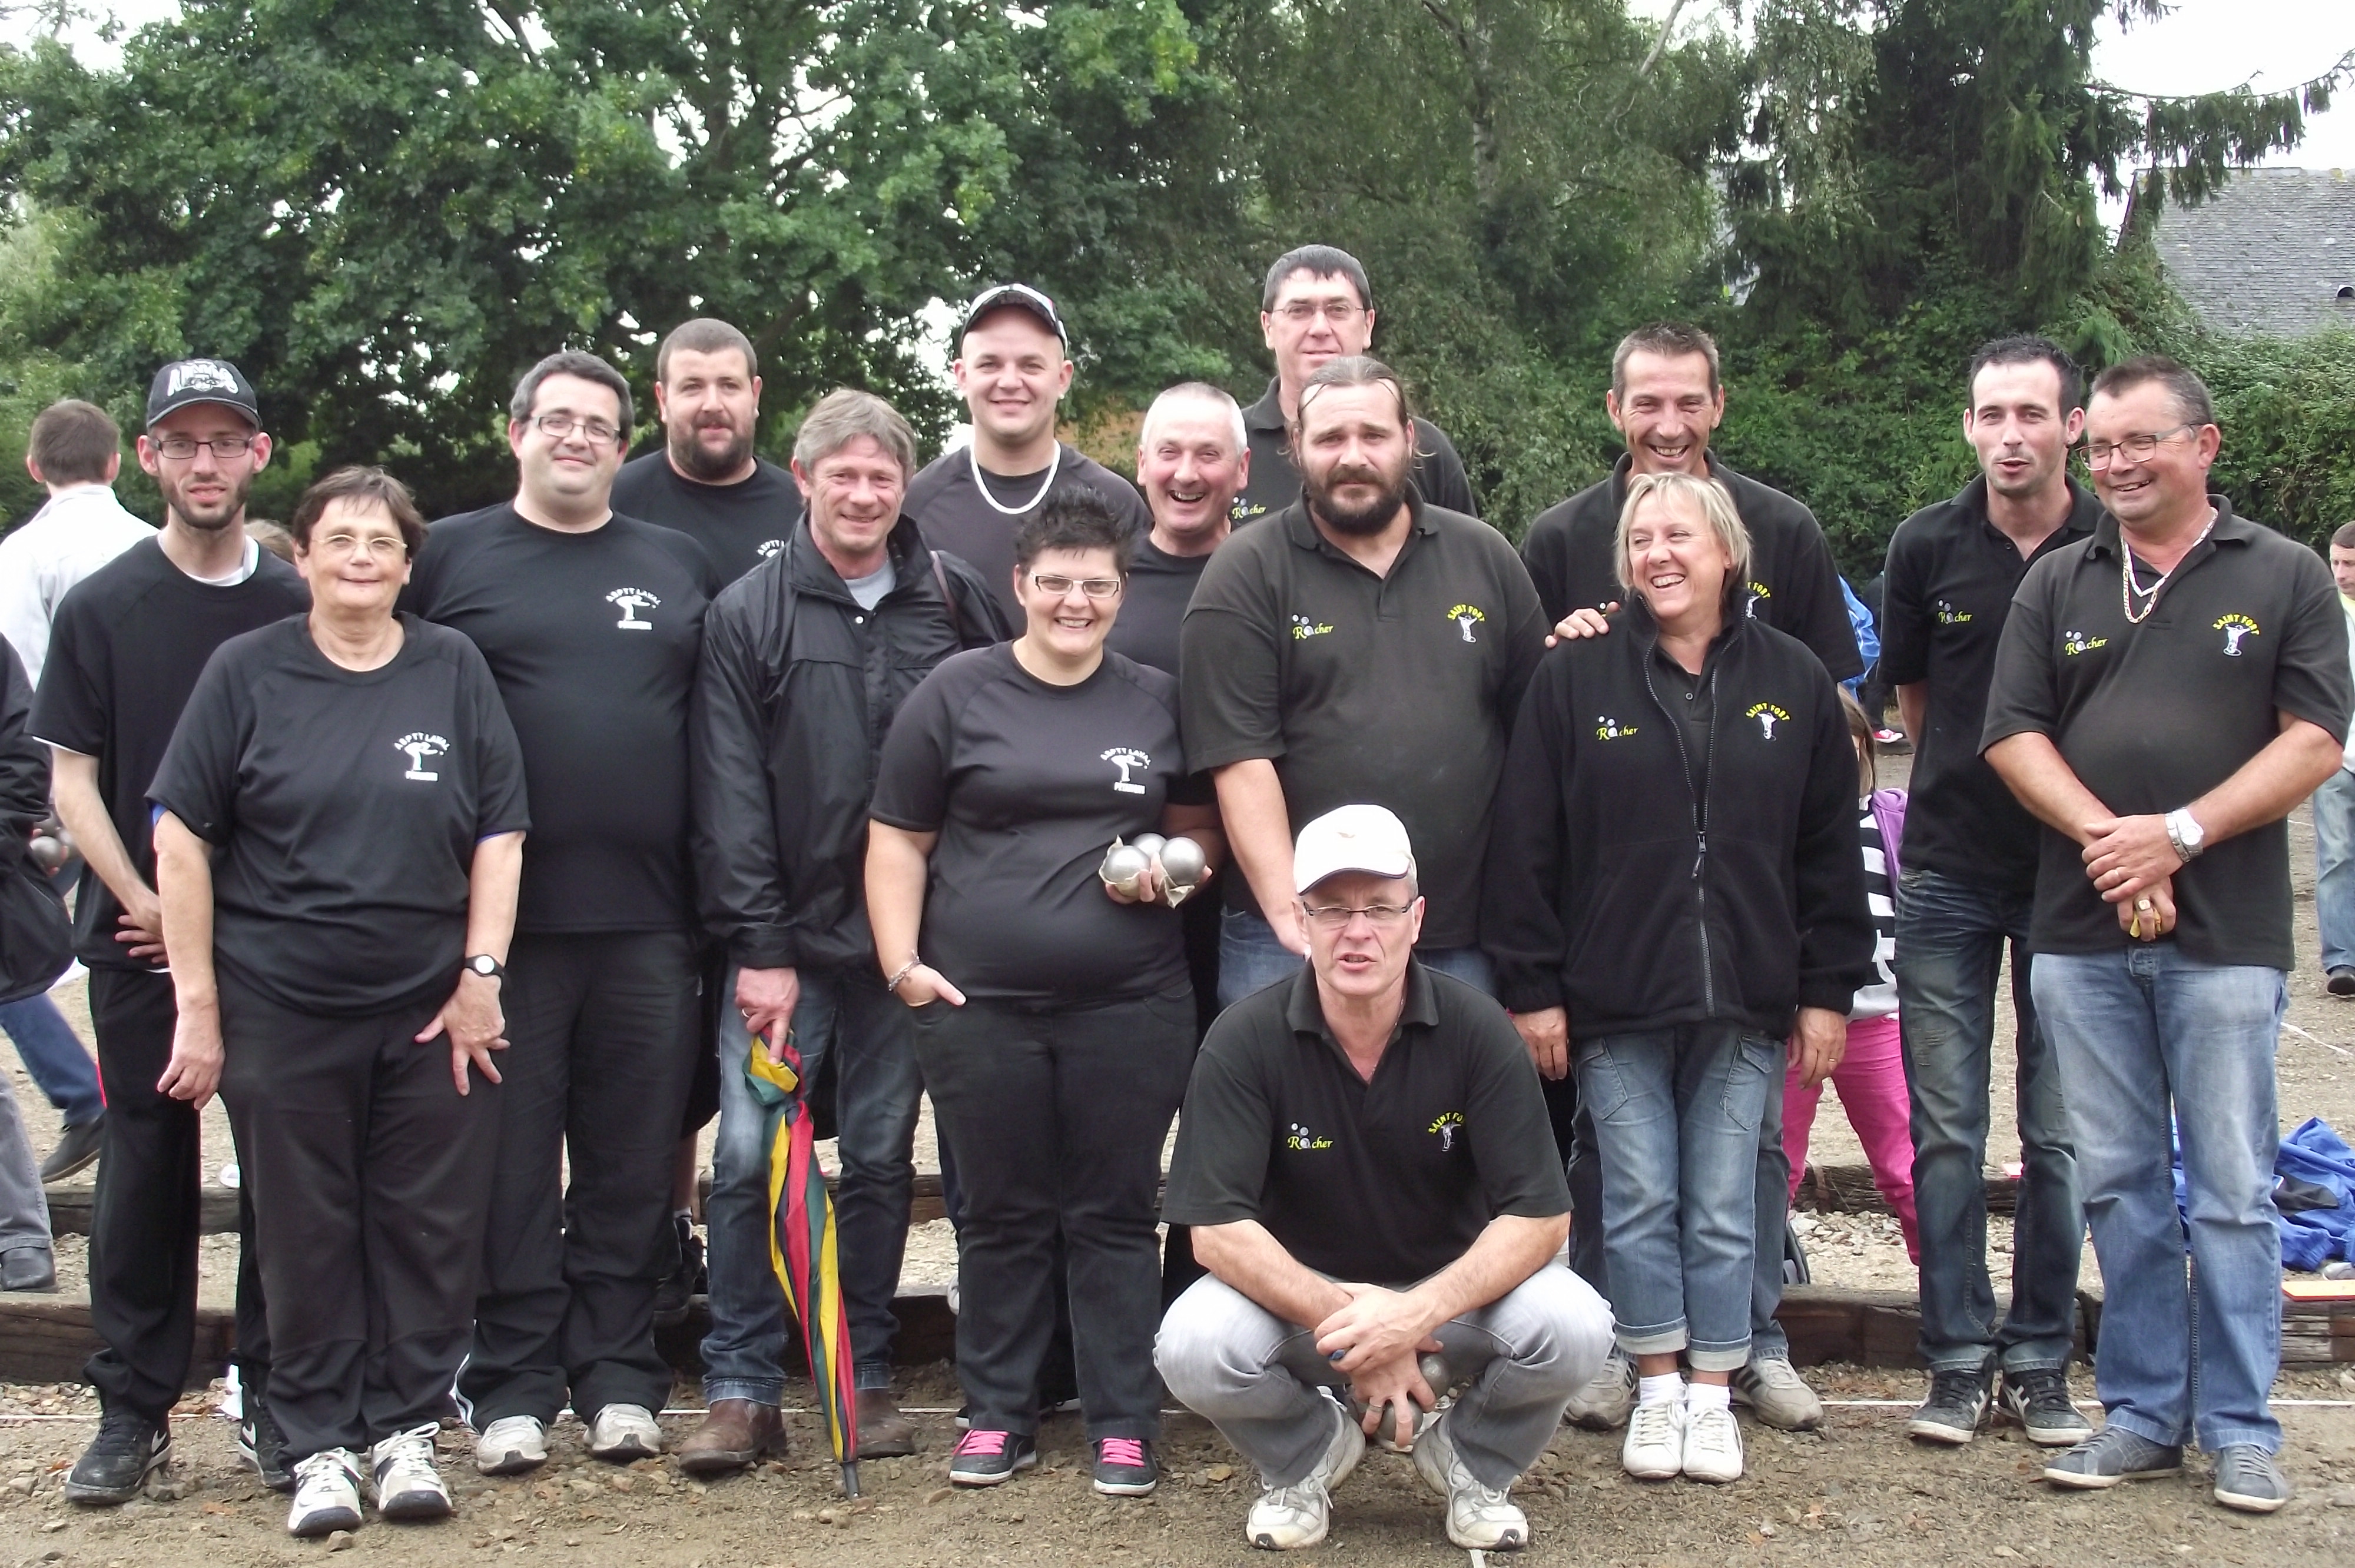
<point>1857,1494</point>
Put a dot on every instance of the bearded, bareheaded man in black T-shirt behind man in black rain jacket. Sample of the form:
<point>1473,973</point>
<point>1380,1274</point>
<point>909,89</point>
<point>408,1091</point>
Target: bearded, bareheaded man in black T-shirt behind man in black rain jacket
<point>712,486</point>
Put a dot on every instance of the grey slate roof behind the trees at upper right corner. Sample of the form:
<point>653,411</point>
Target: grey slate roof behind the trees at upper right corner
<point>2274,253</point>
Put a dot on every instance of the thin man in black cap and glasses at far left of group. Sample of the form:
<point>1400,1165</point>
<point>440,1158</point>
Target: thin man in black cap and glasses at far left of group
<point>126,651</point>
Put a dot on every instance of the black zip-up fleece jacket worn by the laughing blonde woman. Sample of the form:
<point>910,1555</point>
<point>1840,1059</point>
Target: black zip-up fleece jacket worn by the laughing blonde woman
<point>1624,896</point>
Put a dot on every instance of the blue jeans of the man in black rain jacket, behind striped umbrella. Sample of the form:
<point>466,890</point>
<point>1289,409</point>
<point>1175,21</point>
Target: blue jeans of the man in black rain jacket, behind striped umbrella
<point>877,1091</point>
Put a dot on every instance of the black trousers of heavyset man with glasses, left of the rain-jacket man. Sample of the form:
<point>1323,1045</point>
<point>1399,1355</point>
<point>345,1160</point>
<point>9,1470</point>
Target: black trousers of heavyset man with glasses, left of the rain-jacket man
<point>602,1047</point>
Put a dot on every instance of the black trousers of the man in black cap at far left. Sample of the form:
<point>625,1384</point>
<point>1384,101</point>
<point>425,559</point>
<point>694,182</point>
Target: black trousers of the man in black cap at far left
<point>147,1214</point>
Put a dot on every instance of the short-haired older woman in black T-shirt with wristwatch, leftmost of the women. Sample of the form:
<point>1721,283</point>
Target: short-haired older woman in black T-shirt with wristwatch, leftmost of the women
<point>338,851</point>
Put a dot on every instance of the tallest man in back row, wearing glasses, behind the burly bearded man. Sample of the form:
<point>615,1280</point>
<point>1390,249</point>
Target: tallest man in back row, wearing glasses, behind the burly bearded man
<point>1318,307</point>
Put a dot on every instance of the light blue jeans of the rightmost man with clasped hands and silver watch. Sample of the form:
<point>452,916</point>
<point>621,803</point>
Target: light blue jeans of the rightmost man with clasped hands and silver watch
<point>2140,1035</point>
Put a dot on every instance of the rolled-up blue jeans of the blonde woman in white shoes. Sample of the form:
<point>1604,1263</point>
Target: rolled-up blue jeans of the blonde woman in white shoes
<point>1678,1124</point>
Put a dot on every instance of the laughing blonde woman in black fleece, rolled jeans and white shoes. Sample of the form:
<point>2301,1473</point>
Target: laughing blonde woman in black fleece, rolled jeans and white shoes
<point>1673,893</point>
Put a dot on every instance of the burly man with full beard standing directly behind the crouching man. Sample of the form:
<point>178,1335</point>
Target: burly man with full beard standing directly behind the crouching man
<point>1365,646</point>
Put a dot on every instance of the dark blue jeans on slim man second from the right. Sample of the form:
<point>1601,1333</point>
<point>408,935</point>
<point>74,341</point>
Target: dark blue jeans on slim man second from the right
<point>1951,948</point>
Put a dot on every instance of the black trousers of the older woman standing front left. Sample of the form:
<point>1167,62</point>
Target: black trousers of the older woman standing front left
<point>371,1178</point>
